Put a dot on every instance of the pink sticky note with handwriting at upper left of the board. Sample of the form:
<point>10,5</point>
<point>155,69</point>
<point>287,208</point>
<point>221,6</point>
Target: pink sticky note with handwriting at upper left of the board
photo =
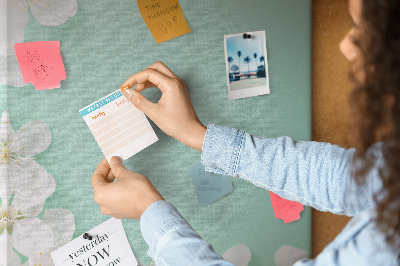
<point>41,63</point>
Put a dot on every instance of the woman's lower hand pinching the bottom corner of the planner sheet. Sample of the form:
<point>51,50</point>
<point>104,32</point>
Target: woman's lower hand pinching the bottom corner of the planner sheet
<point>127,197</point>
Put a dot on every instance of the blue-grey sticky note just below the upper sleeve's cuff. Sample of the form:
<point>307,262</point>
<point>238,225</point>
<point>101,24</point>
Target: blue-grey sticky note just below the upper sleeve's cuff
<point>209,186</point>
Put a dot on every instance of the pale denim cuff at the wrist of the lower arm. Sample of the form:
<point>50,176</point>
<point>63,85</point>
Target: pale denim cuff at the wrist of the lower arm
<point>158,219</point>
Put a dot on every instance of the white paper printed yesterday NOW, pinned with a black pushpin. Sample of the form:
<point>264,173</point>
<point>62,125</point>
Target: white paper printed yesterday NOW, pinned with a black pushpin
<point>108,247</point>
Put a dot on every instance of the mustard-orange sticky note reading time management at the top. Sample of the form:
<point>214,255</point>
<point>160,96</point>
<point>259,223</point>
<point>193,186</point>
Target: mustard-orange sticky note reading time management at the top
<point>164,18</point>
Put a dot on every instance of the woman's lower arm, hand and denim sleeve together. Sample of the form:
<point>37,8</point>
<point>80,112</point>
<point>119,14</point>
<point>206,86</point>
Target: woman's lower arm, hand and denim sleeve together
<point>171,240</point>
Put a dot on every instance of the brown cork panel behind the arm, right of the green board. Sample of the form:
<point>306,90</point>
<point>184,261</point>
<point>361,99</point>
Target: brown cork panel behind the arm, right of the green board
<point>331,88</point>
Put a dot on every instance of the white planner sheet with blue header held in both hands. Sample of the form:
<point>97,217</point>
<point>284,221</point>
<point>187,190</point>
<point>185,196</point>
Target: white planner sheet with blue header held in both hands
<point>118,126</point>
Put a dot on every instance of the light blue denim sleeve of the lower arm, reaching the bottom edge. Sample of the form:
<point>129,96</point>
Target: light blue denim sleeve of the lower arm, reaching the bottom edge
<point>172,241</point>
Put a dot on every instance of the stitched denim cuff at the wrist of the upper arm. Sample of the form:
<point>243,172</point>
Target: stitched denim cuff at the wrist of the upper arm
<point>222,148</point>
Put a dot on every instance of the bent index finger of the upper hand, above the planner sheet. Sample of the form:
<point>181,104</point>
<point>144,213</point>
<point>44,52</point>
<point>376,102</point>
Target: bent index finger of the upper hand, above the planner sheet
<point>159,80</point>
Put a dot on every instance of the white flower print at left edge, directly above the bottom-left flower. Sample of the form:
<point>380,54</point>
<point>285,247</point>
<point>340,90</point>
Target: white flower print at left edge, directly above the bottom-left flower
<point>19,172</point>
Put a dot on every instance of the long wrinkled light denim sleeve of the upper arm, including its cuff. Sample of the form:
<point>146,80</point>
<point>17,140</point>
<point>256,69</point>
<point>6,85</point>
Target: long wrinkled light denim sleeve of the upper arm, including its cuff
<point>312,173</point>
